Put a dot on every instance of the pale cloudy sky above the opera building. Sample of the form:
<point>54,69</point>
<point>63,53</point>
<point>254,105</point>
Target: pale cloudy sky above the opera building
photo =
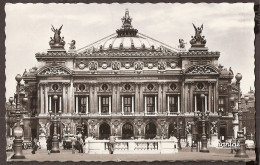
<point>228,28</point>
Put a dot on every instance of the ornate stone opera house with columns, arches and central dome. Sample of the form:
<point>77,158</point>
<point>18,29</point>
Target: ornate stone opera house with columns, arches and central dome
<point>128,85</point>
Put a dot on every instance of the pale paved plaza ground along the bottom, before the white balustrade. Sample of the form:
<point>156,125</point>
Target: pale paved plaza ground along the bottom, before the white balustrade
<point>183,155</point>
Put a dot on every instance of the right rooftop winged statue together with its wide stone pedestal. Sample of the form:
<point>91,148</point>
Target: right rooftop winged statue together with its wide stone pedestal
<point>198,41</point>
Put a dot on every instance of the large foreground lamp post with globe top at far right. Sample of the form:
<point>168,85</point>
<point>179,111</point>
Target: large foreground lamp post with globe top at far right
<point>241,151</point>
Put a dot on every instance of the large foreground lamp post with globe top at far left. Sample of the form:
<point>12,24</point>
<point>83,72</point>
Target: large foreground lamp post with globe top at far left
<point>18,131</point>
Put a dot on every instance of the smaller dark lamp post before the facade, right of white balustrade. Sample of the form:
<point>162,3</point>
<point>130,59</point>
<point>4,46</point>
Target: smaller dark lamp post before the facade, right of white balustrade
<point>203,119</point>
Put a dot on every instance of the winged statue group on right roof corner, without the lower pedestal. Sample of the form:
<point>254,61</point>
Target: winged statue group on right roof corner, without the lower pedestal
<point>198,40</point>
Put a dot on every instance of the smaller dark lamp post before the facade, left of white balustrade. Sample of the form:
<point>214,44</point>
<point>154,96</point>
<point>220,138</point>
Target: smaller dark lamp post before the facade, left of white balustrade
<point>55,120</point>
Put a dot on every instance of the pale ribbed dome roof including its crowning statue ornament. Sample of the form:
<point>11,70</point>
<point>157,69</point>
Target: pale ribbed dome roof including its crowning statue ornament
<point>127,39</point>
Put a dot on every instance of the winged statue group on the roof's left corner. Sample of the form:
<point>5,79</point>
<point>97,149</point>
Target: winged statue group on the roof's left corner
<point>57,41</point>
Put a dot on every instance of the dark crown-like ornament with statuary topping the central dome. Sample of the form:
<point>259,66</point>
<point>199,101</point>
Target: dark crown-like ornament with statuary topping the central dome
<point>126,30</point>
